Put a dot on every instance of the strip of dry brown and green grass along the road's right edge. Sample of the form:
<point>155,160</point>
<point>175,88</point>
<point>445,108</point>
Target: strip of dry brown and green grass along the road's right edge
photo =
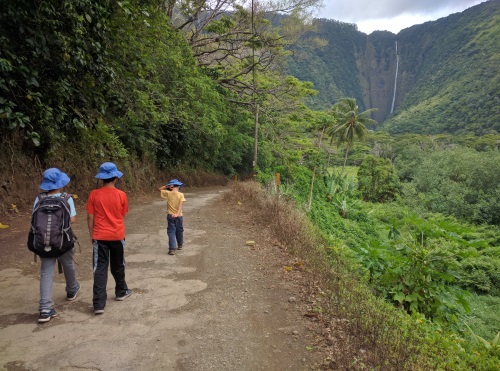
<point>368,333</point>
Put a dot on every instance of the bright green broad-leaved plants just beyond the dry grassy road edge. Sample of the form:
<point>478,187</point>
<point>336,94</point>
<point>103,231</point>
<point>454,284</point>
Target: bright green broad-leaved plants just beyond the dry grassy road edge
<point>422,264</point>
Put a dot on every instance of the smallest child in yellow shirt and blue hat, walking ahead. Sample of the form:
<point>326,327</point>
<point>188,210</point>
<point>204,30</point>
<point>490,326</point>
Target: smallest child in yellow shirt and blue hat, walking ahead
<point>175,200</point>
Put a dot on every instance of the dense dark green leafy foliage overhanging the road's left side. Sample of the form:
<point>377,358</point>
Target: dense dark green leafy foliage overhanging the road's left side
<point>67,68</point>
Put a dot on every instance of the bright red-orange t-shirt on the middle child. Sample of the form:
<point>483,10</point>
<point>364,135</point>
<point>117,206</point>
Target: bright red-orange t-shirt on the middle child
<point>108,205</point>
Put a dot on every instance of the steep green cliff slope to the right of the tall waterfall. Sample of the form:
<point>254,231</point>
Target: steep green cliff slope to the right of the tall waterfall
<point>449,79</point>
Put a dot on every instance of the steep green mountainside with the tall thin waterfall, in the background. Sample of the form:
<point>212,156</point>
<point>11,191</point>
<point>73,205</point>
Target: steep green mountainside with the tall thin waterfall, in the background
<point>447,79</point>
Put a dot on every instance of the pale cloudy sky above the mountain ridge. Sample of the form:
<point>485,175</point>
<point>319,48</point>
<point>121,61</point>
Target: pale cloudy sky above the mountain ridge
<point>391,15</point>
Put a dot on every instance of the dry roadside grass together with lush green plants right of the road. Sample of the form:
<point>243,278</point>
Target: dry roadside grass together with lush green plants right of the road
<point>403,289</point>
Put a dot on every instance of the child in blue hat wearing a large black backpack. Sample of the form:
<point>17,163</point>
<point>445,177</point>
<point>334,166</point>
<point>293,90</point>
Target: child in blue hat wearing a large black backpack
<point>52,238</point>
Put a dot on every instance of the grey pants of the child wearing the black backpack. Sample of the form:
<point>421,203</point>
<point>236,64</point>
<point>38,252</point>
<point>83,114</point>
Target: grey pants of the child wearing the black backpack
<point>47,278</point>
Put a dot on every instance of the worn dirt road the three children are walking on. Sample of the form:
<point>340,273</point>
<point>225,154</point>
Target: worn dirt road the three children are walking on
<point>217,305</point>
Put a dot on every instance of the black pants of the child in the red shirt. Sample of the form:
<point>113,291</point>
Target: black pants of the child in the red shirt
<point>108,253</point>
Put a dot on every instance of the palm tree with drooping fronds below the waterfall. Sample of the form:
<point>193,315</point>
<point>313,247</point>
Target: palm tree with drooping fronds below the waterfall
<point>351,123</point>
